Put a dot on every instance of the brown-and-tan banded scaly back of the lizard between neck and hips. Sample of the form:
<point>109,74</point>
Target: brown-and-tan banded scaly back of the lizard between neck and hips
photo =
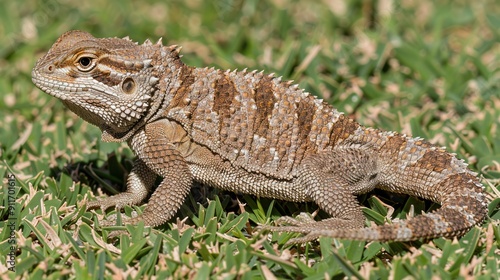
<point>255,121</point>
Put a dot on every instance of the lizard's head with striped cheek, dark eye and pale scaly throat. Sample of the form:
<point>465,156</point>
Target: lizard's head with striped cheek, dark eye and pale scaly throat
<point>110,83</point>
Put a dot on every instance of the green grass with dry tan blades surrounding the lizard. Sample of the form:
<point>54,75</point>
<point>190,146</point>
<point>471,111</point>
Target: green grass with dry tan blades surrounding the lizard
<point>425,68</point>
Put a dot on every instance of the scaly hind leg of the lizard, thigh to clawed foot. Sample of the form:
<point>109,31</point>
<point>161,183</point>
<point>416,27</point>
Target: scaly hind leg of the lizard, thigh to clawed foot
<point>332,179</point>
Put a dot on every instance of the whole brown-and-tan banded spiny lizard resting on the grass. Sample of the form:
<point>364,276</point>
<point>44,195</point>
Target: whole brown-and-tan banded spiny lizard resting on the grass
<point>250,132</point>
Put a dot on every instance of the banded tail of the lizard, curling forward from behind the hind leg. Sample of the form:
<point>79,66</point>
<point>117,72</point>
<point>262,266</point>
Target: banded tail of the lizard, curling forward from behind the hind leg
<point>426,171</point>
